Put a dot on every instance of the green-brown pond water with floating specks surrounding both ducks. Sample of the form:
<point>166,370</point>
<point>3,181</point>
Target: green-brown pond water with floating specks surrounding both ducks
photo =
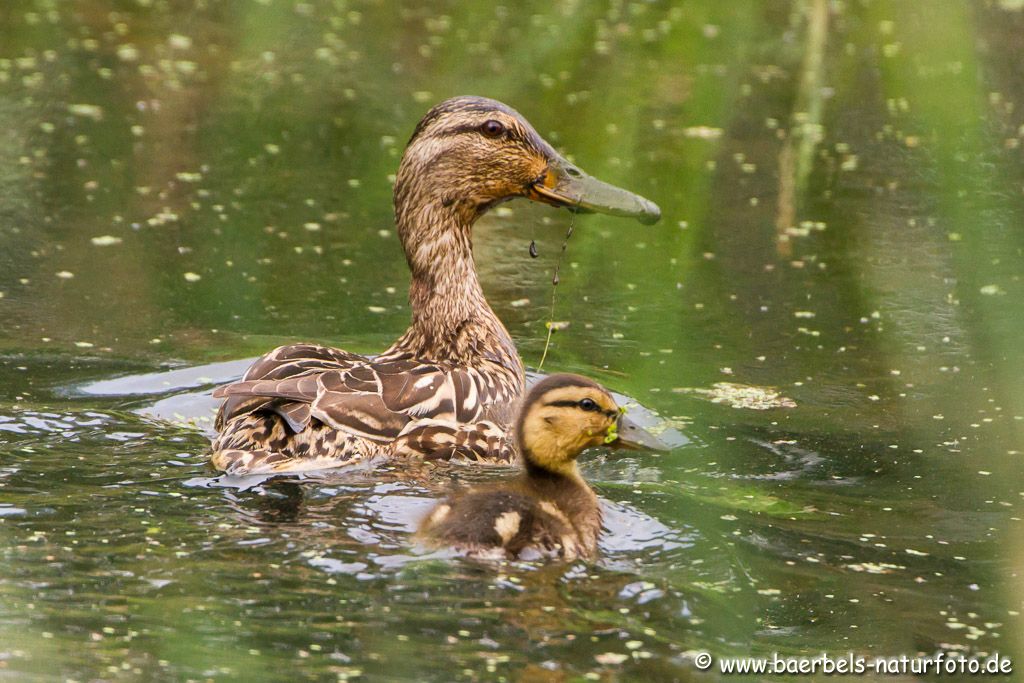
<point>187,185</point>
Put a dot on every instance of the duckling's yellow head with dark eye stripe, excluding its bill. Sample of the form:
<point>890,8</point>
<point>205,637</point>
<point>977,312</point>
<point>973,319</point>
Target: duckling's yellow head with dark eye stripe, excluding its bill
<point>562,416</point>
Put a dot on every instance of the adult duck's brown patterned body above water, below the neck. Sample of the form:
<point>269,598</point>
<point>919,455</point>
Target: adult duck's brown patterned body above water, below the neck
<point>342,406</point>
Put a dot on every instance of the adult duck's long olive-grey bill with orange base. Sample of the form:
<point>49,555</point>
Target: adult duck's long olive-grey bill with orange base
<point>566,186</point>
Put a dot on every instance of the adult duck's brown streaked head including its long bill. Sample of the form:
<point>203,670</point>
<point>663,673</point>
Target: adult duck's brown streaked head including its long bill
<point>473,153</point>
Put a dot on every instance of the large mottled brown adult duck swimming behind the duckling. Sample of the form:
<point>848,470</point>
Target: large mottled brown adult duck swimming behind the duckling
<point>450,386</point>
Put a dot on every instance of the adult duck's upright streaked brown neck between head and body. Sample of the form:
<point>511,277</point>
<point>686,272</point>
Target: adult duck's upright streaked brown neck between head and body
<point>451,318</point>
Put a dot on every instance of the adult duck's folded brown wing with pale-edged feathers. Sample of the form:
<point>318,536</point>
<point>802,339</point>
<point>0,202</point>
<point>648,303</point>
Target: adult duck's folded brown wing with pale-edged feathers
<point>374,400</point>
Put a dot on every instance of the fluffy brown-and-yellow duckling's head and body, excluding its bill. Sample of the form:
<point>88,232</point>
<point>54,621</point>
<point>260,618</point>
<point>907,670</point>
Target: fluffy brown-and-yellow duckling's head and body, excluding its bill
<point>549,510</point>
